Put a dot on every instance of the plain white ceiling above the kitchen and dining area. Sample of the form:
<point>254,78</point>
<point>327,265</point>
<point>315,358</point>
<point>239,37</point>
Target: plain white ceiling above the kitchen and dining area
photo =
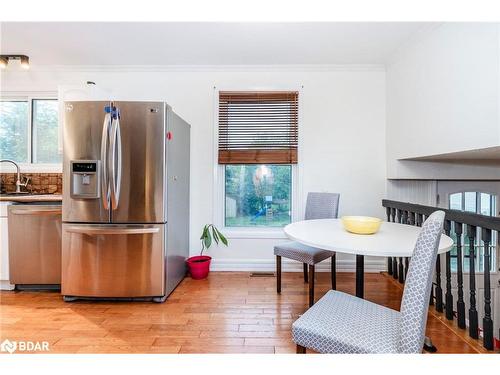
<point>122,43</point>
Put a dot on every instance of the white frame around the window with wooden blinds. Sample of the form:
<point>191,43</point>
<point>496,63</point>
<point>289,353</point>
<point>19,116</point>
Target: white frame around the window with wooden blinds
<point>258,232</point>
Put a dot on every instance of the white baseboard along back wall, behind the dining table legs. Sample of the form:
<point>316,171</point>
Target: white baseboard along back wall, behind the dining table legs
<point>251,265</point>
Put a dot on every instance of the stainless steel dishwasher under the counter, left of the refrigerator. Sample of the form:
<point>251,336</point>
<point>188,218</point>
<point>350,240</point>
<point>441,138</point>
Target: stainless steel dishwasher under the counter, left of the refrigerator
<point>35,245</point>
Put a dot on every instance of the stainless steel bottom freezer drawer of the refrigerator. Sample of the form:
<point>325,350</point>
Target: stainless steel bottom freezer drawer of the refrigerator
<point>113,260</point>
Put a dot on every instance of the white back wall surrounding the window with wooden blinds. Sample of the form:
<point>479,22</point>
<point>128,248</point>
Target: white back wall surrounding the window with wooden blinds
<point>342,135</point>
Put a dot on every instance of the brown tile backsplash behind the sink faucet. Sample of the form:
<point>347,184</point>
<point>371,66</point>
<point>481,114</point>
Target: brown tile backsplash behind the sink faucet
<point>39,183</point>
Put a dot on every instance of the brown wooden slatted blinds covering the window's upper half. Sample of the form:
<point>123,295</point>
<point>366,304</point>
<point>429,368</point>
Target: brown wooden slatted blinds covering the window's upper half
<point>258,127</point>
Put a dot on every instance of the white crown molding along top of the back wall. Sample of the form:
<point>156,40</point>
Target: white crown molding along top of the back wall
<point>203,68</point>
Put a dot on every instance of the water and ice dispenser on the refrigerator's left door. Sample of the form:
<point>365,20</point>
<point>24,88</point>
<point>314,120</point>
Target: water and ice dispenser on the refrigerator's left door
<point>85,179</point>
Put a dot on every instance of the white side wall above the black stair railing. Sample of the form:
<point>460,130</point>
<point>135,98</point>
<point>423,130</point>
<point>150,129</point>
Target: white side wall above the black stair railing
<point>443,97</point>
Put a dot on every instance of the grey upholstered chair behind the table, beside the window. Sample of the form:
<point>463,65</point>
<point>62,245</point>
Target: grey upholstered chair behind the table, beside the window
<point>318,206</point>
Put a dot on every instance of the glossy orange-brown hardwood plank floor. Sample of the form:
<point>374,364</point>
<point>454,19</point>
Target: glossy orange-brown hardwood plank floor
<point>230,312</point>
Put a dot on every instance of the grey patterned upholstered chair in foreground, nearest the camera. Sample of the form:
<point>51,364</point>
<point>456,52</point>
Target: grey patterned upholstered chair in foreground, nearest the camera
<point>341,323</point>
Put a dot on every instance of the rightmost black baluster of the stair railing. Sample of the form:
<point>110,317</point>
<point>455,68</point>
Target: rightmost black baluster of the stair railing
<point>487,322</point>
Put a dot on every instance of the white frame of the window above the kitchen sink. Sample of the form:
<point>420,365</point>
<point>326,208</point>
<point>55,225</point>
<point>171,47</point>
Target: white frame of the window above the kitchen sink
<point>28,167</point>
